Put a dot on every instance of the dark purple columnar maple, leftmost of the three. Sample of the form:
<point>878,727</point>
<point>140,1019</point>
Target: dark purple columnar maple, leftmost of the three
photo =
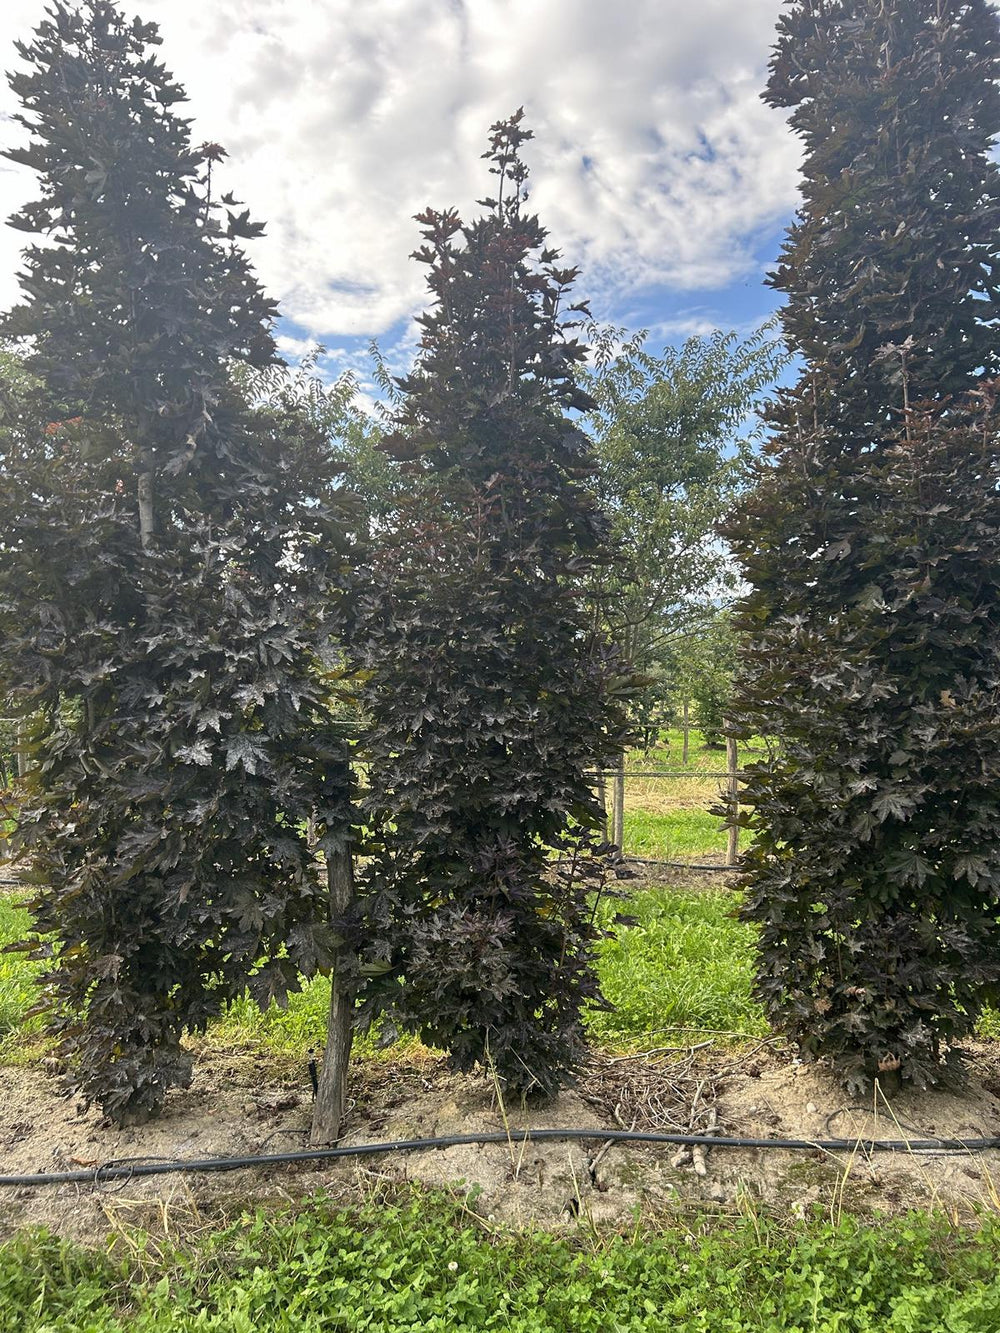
<point>166,550</point>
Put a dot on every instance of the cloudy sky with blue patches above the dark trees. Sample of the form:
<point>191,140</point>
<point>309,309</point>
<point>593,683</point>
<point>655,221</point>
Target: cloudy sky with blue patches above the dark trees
<point>655,166</point>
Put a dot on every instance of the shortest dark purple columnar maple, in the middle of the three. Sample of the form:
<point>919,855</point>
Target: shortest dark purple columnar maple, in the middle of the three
<point>490,696</point>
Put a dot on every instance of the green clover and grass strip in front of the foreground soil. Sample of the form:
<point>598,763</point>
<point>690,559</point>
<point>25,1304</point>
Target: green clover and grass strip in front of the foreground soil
<point>421,1264</point>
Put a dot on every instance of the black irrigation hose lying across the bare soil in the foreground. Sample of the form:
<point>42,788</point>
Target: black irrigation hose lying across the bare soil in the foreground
<point>130,1171</point>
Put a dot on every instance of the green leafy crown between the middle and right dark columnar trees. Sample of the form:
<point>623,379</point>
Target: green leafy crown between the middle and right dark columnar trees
<point>673,434</point>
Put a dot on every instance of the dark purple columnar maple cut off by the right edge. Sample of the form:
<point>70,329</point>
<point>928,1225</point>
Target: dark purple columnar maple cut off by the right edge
<point>871,546</point>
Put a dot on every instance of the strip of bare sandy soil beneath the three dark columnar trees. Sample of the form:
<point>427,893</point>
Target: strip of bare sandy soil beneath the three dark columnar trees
<point>238,1107</point>
